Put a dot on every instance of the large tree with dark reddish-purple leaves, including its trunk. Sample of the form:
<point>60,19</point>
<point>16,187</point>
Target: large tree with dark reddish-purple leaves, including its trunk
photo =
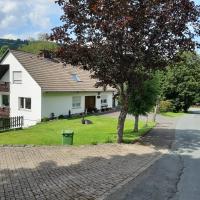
<point>116,39</point>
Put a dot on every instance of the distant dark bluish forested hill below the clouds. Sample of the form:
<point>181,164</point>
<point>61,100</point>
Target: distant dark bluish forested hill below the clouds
<point>12,44</point>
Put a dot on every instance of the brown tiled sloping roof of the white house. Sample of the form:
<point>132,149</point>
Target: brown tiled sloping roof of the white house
<point>54,76</point>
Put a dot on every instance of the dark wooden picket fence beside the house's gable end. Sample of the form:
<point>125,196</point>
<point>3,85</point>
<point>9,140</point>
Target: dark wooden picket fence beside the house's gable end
<point>11,123</point>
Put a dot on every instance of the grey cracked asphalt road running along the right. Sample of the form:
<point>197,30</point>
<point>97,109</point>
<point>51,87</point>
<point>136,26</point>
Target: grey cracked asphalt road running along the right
<point>176,176</point>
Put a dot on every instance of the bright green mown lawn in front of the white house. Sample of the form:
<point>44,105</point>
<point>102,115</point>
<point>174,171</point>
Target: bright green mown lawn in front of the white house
<point>103,130</point>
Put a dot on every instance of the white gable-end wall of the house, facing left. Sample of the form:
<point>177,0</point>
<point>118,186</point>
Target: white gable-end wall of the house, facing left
<point>29,89</point>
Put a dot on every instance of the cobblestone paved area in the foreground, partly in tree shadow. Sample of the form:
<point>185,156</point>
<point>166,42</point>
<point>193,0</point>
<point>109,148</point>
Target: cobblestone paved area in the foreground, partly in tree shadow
<point>88,172</point>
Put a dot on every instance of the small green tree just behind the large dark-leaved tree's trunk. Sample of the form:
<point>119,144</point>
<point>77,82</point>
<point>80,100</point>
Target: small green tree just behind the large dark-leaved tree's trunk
<point>143,99</point>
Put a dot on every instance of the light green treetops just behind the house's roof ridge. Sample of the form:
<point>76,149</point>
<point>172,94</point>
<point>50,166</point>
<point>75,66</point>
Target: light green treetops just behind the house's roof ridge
<point>36,46</point>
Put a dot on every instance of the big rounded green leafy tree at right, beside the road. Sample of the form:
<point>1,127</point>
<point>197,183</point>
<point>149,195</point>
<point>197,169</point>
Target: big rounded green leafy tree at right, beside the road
<point>182,81</point>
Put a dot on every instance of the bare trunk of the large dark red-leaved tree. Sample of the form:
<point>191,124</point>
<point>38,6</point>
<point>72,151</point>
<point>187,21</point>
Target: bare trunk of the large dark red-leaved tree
<point>120,127</point>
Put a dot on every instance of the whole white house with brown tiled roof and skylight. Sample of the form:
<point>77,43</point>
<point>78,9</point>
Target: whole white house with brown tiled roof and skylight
<point>34,87</point>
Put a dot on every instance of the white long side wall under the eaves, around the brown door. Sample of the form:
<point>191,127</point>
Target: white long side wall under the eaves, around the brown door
<point>60,103</point>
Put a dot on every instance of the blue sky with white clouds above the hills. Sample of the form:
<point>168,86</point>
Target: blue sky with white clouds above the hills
<point>25,19</point>
